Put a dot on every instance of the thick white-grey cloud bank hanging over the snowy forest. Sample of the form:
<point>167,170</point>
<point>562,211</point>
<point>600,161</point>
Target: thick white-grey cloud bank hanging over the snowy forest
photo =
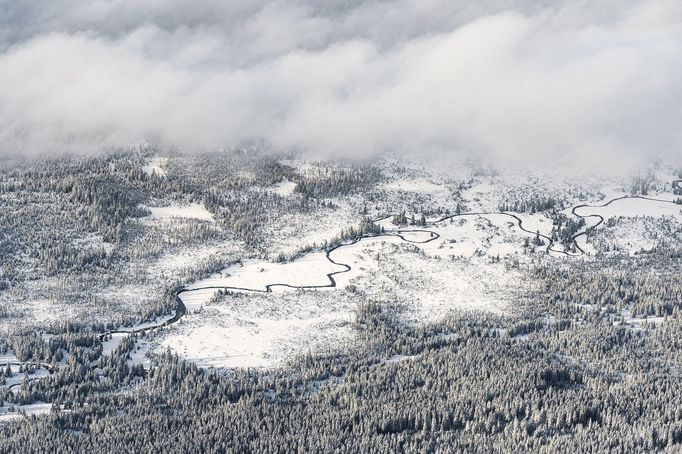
<point>345,78</point>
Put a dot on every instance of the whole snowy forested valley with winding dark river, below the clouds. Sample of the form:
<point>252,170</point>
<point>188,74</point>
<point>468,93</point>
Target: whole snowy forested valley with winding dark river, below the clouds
<point>240,302</point>
